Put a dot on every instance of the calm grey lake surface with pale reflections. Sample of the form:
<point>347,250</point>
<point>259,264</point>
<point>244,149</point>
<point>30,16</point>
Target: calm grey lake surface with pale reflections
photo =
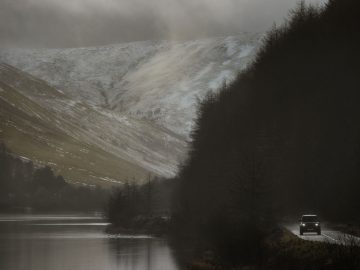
<point>76,242</point>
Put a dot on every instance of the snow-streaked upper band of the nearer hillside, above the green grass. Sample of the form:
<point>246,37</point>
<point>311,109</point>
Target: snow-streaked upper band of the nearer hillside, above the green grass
<point>151,147</point>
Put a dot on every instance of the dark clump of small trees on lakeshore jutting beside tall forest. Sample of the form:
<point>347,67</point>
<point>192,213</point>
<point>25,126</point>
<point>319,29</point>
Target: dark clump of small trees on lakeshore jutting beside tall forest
<point>141,208</point>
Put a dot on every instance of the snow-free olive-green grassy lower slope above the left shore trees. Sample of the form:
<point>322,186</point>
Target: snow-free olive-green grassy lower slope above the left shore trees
<point>29,130</point>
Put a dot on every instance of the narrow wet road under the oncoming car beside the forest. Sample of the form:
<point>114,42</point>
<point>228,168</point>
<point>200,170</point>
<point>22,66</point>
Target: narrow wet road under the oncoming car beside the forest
<point>327,235</point>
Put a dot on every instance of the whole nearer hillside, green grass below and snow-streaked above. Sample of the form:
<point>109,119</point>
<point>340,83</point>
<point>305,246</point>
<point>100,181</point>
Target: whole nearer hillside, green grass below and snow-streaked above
<point>81,143</point>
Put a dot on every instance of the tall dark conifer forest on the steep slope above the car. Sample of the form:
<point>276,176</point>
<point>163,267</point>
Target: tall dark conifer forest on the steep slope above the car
<point>283,139</point>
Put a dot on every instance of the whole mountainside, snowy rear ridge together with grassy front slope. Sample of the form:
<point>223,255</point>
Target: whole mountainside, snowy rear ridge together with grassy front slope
<point>136,102</point>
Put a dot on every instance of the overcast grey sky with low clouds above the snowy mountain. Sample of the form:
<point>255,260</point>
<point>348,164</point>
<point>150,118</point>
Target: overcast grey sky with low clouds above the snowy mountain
<point>74,23</point>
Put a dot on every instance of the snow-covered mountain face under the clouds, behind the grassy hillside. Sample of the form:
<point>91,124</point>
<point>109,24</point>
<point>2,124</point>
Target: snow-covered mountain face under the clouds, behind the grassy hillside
<point>160,81</point>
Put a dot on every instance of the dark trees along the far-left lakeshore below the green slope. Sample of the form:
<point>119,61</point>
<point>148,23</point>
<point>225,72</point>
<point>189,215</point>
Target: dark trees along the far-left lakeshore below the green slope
<point>24,186</point>
